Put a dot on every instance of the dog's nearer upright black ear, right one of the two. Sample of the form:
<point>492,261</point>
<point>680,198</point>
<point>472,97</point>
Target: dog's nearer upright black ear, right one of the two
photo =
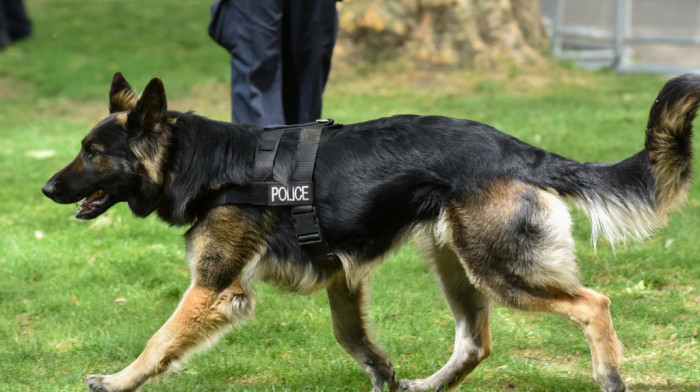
<point>149,113</point>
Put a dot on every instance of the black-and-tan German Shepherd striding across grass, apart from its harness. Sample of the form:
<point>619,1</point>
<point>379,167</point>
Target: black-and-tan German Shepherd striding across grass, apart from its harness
<point>487,210</point>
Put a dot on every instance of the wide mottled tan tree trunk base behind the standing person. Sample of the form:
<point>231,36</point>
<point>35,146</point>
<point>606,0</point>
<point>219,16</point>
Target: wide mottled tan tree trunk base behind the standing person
<point>485,34</point>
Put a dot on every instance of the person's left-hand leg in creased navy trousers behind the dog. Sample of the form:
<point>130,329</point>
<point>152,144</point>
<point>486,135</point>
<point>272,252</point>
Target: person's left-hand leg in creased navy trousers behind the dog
<point>256,74</point>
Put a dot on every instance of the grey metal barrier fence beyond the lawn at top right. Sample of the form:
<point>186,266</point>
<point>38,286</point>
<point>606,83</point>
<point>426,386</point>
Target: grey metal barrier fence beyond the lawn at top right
<point>627,35</point>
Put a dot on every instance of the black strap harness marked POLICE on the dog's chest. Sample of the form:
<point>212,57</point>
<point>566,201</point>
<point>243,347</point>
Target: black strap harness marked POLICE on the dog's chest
<point>298,193</point>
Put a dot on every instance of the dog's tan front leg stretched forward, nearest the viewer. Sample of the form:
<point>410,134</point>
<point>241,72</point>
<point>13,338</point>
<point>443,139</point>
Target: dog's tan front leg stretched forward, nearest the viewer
<point>218,248</point>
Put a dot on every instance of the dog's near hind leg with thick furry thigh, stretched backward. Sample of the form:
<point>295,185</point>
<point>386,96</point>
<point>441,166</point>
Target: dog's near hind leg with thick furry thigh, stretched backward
<point>515,243</point>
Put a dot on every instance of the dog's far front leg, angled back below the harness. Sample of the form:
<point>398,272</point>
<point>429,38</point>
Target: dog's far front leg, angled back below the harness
<point>348,313</point>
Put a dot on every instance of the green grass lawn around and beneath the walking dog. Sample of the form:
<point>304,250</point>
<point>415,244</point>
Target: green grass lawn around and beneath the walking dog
<point>61,320</point>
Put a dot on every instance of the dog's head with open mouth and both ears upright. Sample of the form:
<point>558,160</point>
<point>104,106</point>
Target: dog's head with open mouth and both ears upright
<point>121,158</point>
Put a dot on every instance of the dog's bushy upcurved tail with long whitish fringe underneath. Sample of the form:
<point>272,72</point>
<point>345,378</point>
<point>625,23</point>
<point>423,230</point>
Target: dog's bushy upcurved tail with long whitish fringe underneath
<point>633,197</point>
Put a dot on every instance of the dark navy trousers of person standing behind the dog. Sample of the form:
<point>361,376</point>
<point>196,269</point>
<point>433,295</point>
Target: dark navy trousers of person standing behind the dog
<point>280,58</point>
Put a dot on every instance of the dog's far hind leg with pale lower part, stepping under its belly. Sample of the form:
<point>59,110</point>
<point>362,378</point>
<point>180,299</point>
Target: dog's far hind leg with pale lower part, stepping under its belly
<point>471,312</point>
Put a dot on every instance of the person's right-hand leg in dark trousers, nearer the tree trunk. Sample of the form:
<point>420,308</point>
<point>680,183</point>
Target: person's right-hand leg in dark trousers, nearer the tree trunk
<point>310,27</point>
